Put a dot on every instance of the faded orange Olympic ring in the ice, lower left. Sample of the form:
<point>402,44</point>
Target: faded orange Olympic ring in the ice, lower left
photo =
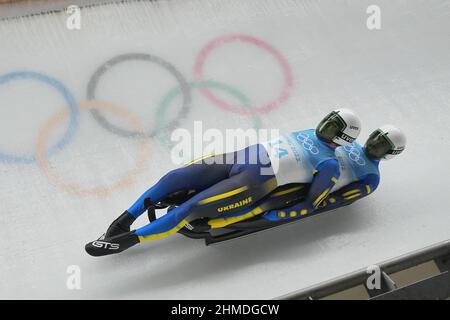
<point>44,163</point>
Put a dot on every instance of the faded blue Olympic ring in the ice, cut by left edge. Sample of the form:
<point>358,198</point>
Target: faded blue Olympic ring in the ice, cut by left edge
<point>71,104</point>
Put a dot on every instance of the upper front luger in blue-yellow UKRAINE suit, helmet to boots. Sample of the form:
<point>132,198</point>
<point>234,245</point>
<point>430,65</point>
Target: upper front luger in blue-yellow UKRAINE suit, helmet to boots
<point>221,187</point>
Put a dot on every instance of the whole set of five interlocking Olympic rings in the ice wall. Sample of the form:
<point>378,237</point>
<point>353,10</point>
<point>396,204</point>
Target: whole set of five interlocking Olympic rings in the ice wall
<point>98,108</point>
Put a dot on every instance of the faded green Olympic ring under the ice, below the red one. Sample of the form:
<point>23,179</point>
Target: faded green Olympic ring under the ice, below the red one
<point>172,94</point>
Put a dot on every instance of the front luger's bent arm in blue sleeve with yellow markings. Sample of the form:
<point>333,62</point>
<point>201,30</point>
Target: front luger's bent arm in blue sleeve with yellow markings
<point>326,176</point>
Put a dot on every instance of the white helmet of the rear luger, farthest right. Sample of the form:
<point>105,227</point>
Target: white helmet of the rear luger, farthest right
<point>385,143</point>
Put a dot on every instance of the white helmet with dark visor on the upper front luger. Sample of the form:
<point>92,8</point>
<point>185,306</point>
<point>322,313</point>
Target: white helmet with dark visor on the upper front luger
<point>340,127</point>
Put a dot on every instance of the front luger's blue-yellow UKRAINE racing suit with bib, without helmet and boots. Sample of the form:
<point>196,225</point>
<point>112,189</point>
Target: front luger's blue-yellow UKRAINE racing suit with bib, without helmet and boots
<point>221,187</point>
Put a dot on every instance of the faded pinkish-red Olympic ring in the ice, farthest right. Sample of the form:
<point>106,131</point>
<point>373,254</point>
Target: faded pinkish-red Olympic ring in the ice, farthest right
<point>265,108</point>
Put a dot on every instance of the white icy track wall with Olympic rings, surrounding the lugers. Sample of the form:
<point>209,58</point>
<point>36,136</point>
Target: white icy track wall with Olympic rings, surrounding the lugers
<point>74,104</point>
